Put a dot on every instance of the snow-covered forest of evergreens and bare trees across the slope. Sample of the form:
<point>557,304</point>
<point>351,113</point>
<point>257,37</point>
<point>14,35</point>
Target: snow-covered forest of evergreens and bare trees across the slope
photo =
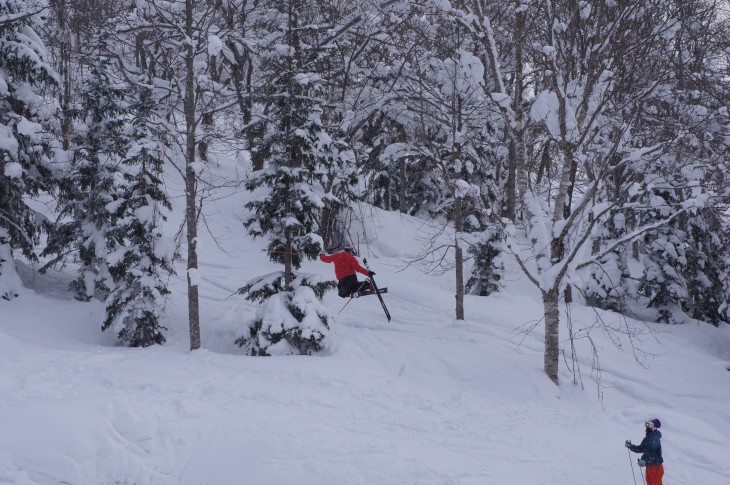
<point>588,141</point>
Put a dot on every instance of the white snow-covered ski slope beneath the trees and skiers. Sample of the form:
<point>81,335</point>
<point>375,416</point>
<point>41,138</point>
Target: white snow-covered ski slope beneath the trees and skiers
<point>424,399</point>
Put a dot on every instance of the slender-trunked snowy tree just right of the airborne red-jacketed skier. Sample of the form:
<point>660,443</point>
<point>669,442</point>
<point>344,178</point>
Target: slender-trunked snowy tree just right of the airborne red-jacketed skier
<point>443,91</point>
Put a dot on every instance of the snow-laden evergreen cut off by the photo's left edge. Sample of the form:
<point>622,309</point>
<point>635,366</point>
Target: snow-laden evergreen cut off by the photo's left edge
<point>24,147</point>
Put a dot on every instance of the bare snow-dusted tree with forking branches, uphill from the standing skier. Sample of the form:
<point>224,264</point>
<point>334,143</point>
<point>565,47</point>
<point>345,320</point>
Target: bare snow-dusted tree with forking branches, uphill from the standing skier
<point>601,64</point>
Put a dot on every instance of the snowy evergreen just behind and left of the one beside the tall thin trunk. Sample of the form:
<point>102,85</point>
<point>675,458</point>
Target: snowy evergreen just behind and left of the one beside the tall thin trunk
<point>87,192</point>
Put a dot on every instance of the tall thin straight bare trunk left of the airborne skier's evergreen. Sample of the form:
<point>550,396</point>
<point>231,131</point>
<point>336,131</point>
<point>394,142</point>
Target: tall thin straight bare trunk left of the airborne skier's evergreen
<point>191,185</point>
